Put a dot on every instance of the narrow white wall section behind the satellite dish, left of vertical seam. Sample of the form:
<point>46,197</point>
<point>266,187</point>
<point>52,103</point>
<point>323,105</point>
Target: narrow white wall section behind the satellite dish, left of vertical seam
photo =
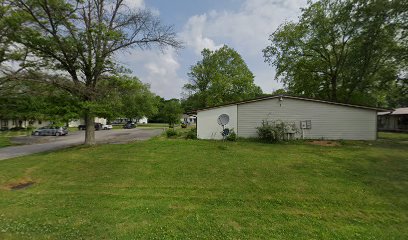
<point>207,126</point>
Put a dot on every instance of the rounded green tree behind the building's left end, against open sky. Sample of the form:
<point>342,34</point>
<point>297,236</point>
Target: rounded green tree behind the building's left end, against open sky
<point>221,76</point>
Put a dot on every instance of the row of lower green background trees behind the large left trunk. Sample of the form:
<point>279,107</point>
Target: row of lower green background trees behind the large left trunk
<point>118,96</point>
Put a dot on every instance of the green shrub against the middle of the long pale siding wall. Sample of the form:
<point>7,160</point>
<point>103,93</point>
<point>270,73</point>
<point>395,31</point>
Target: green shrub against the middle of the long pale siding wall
<point>274,131</point>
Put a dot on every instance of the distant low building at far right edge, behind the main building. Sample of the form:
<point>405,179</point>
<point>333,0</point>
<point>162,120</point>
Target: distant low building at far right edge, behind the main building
<point>393,121</point>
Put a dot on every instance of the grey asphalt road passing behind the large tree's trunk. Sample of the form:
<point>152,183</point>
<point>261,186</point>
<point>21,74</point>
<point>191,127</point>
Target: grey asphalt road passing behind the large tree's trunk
<point>36,144</point>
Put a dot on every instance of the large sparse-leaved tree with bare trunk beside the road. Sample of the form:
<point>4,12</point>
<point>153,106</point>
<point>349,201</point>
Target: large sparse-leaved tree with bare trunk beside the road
<point>80,38</point>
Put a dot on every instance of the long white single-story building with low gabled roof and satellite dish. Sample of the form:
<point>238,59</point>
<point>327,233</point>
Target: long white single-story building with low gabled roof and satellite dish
<point>314,119</point>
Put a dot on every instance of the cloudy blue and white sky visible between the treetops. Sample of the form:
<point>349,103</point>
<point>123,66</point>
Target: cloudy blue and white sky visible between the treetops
<point>244,25</point>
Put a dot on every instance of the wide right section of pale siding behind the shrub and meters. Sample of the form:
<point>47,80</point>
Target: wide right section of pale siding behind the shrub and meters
<point>328,121</point>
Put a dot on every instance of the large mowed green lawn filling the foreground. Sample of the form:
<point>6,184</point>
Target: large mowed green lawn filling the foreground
<point>186,189</point>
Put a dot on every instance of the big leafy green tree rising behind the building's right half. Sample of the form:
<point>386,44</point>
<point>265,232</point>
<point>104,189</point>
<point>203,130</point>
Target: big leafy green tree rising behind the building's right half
<point>339,50</point>
